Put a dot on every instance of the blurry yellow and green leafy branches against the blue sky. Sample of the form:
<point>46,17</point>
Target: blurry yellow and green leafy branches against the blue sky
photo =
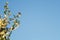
<point>6,21</point>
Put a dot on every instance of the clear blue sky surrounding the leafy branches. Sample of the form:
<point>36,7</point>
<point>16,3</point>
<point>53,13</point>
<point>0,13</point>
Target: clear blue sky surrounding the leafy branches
<point>40,19</point>
